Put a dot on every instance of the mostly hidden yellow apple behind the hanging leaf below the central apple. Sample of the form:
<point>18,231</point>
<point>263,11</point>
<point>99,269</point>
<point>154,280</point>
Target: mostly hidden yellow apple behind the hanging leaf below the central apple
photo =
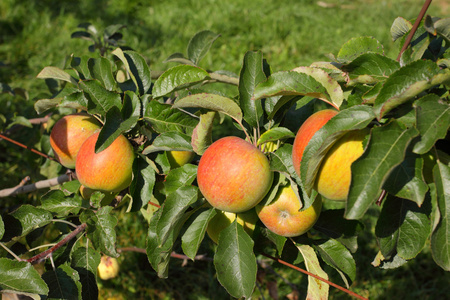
<point>223,219</point>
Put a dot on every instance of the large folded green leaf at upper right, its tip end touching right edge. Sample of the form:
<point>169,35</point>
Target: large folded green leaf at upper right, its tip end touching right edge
<point>406,83</point>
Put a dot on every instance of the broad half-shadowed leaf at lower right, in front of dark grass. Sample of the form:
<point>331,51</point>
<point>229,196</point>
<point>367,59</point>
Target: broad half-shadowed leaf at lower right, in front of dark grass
<point>402,228</point>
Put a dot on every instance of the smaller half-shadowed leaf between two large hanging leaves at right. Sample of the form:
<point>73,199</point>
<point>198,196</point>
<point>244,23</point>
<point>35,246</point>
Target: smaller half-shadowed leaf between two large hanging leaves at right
<point>406,180</point>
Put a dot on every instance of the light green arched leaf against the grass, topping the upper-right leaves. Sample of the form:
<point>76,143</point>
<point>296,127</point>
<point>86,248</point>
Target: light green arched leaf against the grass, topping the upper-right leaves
<point>358,46</point>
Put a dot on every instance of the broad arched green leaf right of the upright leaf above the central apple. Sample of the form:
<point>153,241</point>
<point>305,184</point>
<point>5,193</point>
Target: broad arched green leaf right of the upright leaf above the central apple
<point>290,83</point>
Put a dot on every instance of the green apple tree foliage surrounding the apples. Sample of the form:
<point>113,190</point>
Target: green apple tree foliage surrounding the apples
<point>404,167</point>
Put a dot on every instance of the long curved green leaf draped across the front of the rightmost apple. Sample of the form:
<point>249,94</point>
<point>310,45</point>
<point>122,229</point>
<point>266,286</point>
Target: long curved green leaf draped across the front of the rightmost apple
<point>354,118</point>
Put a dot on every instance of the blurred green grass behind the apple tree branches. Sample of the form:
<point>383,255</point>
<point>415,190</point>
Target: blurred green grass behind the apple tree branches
<point>36,33</point>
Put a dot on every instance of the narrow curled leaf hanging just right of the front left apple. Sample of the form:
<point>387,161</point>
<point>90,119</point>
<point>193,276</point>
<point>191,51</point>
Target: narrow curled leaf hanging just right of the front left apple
<point>141,187</point>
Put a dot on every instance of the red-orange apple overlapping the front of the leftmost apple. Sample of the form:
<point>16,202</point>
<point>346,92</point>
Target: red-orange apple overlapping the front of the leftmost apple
<point>110,170</point>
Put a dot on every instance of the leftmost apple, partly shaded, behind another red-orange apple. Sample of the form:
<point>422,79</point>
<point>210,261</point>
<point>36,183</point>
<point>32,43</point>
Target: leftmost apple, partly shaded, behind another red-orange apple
<point>68,134</point>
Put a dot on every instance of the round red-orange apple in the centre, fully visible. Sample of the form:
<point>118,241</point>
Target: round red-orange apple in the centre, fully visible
<point>233,175</point>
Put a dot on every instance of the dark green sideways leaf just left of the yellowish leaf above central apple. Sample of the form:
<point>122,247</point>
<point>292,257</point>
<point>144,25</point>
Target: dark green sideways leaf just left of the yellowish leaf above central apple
<point>163,118</point>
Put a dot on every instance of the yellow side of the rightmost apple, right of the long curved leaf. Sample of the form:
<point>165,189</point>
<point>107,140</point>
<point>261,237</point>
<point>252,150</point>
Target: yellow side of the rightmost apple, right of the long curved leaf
<point>334,175</point>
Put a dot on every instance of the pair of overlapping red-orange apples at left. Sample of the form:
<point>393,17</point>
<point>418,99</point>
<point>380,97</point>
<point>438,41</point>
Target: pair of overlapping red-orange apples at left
<point>73,139</point>
